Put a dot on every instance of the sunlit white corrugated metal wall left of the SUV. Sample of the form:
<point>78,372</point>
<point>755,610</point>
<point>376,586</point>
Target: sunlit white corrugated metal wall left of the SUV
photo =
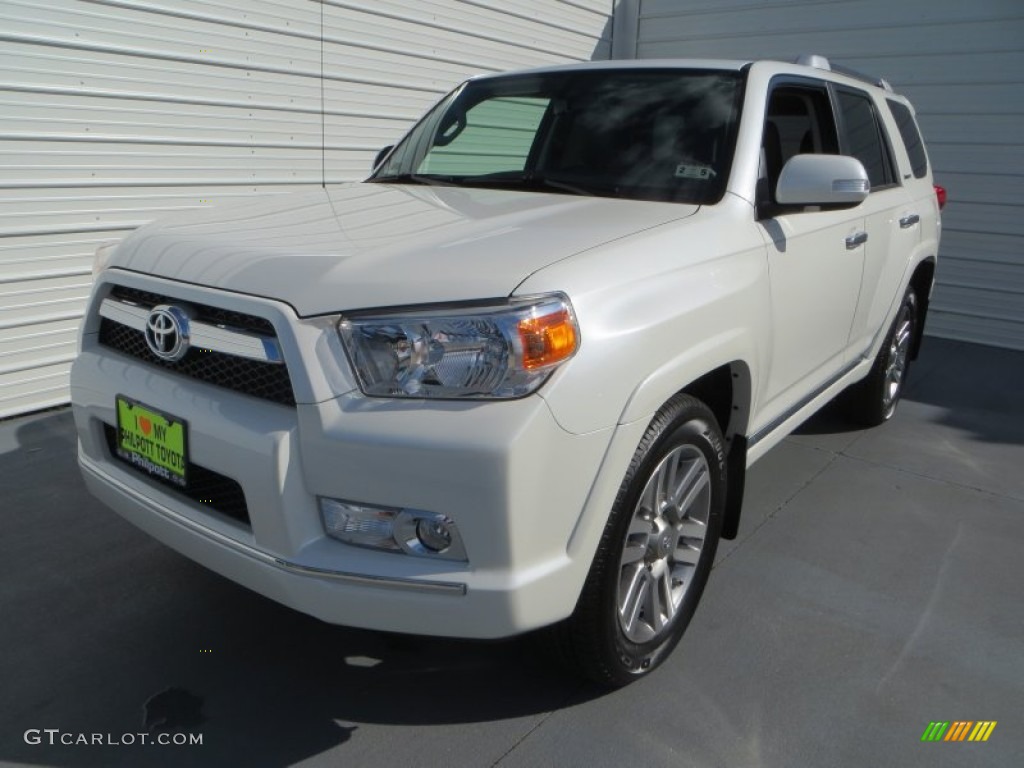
<point>114,112</point>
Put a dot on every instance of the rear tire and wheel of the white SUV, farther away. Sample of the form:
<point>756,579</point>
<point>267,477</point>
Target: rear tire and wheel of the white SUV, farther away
<point>874,400</point>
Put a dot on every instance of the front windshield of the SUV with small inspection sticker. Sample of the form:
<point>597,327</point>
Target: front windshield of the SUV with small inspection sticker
<point>641,135</point>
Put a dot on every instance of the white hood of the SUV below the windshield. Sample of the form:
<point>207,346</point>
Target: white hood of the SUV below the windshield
<point>371,245</point>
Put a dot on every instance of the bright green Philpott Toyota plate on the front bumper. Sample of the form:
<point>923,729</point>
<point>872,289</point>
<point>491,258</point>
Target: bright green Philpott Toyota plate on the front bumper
<point>153,441</point>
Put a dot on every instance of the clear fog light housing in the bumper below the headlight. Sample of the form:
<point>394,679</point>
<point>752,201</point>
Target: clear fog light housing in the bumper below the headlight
<point>414,532</point>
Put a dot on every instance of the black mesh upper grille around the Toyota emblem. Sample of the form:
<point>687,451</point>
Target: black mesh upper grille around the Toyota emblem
<point>269,381</point>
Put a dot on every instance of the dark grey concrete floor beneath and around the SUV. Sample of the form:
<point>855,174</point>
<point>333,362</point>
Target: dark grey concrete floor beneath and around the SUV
<point>876,586</point>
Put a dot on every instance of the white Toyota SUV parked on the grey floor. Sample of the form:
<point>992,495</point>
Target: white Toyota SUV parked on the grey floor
<point>515,379</point>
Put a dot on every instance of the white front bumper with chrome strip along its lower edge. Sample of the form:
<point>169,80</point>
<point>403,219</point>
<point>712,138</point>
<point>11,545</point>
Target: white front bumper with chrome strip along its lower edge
<point>515,482</point>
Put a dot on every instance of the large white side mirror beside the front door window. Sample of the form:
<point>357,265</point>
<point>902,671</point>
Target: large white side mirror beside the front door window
<point>836,181</point>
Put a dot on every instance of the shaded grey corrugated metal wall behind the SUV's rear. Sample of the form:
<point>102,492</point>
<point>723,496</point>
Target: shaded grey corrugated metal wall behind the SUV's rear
<point>962,65</point>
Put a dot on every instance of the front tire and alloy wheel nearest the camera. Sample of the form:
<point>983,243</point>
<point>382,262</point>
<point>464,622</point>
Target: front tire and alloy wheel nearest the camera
<point>656,553</point>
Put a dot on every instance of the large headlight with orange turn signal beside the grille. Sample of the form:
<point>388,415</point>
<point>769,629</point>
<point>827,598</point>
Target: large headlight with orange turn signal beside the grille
<point>482,353</point>
